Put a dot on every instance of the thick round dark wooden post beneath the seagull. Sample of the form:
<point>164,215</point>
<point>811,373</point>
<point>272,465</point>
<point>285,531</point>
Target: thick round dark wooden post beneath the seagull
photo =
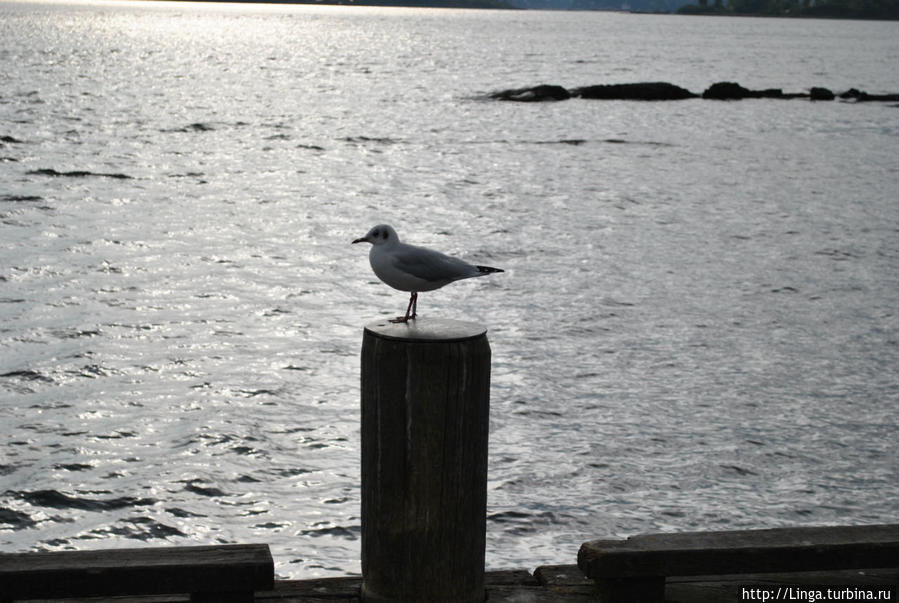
<point>425,415</point>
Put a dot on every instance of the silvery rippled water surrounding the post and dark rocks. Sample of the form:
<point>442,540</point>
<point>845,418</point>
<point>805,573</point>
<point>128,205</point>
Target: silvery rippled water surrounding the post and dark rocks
<point>697,328</point>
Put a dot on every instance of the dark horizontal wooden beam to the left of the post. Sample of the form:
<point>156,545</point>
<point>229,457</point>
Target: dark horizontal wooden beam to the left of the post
<point>221,573</point>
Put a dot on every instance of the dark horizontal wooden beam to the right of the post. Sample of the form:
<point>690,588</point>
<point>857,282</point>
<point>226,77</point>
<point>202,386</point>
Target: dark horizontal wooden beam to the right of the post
<point>771,550</point>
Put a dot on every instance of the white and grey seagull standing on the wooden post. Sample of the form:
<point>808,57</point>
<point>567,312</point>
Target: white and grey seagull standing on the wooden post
<point>414,269</point>
